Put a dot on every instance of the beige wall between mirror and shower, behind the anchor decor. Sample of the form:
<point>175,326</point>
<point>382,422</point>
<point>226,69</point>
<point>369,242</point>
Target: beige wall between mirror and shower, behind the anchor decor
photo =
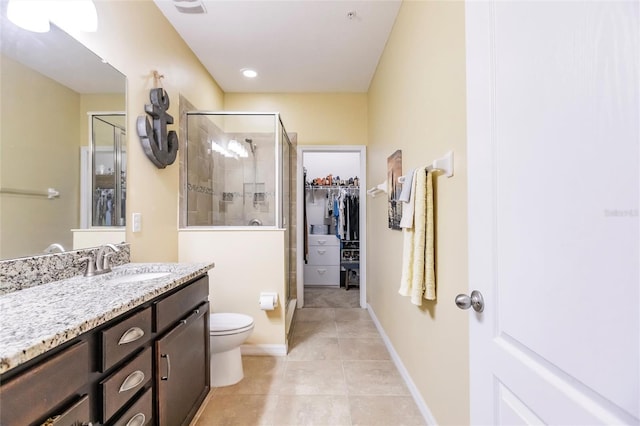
<point>136,39</point>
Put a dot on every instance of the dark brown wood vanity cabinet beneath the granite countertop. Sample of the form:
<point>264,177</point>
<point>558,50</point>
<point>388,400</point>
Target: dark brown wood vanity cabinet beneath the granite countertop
<point>149,366</point>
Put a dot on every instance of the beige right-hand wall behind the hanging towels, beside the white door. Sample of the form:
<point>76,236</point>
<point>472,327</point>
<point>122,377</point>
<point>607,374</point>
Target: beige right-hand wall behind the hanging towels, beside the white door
<point>417,104</point>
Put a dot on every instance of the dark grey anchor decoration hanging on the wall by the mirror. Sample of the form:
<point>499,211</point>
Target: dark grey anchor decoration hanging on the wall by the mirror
<point>160,145</point>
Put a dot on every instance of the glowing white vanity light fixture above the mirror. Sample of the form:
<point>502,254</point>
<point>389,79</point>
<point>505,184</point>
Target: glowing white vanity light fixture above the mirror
<point>70,15</point>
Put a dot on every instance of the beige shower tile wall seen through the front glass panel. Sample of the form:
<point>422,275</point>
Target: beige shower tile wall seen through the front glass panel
<point>221,191</point>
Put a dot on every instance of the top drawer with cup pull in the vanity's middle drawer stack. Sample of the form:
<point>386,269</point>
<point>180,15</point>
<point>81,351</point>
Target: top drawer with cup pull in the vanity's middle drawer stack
<point>125,337</point>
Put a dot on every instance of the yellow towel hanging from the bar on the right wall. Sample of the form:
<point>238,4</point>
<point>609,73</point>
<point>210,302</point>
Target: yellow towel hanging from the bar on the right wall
<point>418,275</point>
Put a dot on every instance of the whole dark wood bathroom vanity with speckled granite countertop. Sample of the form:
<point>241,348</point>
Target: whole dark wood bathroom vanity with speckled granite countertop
<point>126,348</point>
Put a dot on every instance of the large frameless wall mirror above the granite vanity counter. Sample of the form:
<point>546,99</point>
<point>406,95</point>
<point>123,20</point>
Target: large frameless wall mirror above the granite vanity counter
<point>50,85</point>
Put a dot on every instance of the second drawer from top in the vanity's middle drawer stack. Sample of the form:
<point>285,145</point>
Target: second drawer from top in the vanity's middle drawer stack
<point>122,385</point>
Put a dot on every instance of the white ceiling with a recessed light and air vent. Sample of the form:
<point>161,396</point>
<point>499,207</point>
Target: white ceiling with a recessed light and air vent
<point>294,45</point>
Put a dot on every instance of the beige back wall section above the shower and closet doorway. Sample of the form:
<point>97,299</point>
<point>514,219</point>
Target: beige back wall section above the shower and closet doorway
<point>317,118</point>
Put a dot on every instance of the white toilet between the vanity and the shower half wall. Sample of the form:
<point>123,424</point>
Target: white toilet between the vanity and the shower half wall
<point>227,331</point>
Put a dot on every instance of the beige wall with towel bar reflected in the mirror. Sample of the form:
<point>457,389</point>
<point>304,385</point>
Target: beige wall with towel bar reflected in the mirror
<point>39,150</point>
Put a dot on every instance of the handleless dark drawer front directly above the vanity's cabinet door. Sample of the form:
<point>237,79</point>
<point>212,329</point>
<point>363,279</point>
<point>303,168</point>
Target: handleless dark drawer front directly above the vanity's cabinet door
<point>177,305</point>
